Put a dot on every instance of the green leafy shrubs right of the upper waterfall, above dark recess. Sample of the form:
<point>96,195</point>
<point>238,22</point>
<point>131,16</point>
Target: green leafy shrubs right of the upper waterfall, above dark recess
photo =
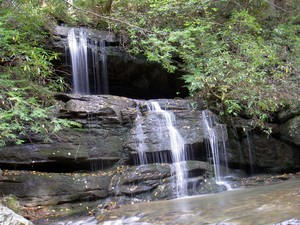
<point>240,62</point>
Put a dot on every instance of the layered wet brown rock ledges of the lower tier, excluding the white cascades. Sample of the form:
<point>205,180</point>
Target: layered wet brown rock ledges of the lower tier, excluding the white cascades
<point>109,142</point>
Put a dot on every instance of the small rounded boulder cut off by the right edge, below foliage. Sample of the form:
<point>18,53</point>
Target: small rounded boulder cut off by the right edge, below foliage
<point>290,131</point>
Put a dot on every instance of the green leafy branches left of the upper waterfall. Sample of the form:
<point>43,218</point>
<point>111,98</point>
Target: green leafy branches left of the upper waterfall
<point>26,75</point>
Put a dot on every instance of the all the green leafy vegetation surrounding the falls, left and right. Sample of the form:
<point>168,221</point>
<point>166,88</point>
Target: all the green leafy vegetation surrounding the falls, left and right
<point>241,57</point>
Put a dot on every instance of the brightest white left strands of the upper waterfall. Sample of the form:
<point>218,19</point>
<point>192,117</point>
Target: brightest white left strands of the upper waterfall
<point>78,51</point>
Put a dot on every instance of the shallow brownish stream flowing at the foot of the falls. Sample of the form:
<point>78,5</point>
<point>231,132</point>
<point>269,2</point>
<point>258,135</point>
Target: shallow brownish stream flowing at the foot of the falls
<point>248,206</point>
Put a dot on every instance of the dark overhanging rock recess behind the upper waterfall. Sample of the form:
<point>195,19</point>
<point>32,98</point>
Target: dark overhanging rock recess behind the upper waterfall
<point>127,76</point>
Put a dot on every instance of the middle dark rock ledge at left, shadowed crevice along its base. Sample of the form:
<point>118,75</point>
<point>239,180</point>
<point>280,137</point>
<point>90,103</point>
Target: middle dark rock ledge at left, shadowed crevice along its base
<point>70,150</point>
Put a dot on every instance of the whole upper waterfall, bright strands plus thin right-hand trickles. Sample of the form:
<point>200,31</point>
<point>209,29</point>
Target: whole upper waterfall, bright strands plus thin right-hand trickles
<point>89,71</point>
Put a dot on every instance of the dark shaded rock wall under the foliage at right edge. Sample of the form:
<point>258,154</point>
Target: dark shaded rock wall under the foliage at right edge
<point>278,152</point>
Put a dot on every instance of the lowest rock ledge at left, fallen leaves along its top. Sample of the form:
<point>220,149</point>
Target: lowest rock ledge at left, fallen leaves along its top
<point>34,188</point>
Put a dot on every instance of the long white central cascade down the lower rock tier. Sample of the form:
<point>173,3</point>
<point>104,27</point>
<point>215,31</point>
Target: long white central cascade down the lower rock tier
<point>178,167</point>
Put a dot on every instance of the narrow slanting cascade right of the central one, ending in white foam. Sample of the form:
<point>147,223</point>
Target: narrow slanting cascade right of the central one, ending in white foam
<point>215,133</point>
